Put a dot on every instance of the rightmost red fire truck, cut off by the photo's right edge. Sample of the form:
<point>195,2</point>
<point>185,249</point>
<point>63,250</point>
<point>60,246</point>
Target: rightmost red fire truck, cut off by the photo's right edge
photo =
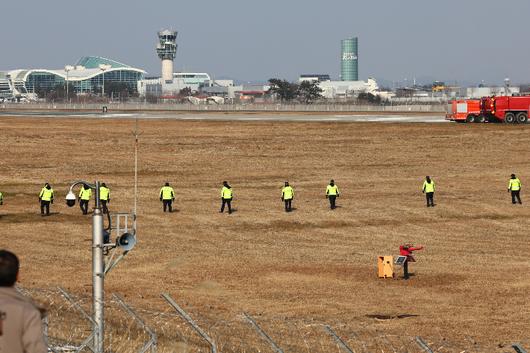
<point>508,109</point>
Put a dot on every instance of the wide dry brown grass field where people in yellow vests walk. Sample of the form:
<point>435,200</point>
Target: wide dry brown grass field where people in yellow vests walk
<point>313,265</point>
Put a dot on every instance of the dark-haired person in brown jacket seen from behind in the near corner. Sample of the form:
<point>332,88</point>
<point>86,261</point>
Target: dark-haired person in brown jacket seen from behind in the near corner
<point>21,328</point>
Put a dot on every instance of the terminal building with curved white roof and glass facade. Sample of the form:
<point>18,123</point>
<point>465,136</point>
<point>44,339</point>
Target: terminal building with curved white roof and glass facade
<point>89,75</point>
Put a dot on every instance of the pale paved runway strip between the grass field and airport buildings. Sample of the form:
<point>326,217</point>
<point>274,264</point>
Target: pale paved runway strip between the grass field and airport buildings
<point>301,117</point>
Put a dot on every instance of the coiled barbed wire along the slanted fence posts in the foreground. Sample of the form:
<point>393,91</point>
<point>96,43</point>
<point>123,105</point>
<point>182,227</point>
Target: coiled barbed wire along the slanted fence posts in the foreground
<point>67,327</point>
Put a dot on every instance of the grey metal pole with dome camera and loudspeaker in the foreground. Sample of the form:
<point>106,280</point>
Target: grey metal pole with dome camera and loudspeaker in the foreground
<point>125,242</point>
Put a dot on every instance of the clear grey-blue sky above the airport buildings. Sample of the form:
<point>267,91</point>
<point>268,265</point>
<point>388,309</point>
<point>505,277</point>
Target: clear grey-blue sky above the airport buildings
<point>462,41</point>
